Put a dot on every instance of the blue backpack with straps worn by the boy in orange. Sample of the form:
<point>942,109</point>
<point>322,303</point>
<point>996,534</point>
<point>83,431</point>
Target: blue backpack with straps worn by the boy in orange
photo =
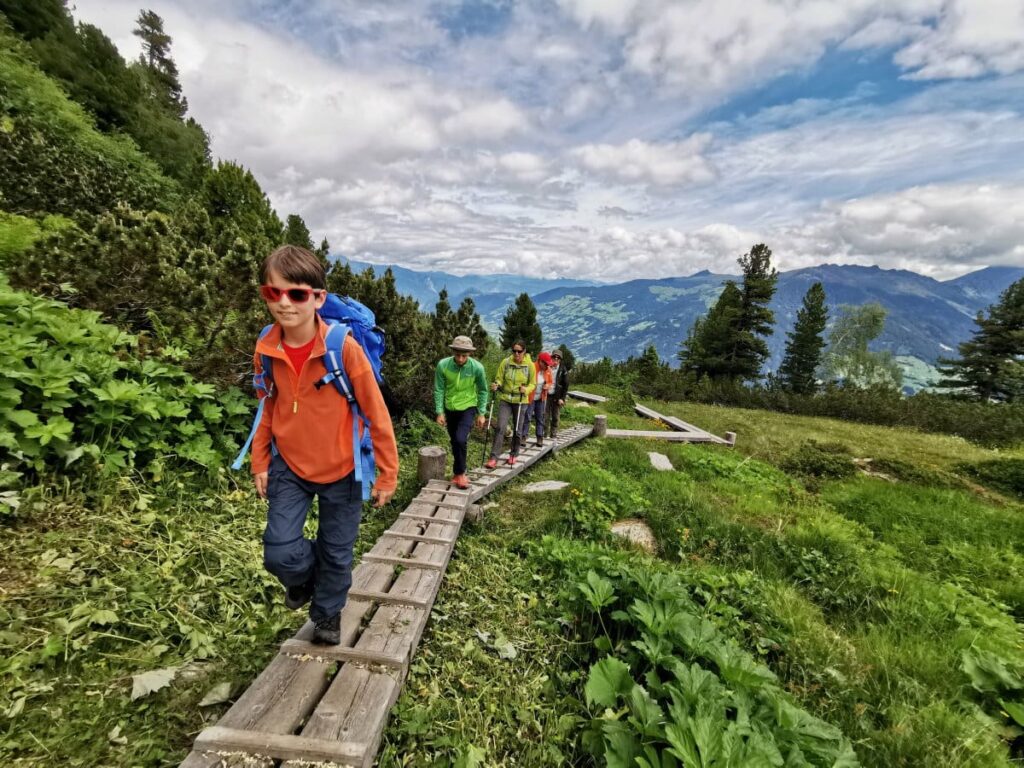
<point>345,316</point>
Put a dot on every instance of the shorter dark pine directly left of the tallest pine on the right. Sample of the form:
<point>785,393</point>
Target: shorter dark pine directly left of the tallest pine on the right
<point>709,350</point>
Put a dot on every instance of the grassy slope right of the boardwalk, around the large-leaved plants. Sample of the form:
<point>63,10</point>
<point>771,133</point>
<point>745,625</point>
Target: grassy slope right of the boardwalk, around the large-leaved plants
<point>863,595</point>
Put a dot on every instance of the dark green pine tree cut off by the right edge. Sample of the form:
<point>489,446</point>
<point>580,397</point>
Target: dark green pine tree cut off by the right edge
<point>992,364</point>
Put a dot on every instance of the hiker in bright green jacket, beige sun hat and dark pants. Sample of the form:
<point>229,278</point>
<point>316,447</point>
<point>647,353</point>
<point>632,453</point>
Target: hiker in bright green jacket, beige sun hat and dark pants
<point>460,397</point>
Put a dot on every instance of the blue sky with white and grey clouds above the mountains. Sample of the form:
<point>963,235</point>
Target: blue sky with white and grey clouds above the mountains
<point>618,140</point>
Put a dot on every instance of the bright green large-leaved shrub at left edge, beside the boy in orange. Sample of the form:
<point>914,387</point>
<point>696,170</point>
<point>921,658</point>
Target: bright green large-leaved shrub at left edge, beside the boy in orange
<point>75,394</point>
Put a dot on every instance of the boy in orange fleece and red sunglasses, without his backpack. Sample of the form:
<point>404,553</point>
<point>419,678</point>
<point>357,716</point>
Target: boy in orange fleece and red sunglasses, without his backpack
<point>309,431</point>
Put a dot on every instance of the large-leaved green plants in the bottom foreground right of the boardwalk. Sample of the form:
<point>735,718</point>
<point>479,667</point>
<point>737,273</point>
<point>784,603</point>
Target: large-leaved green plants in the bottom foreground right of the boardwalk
<point>670,689</point>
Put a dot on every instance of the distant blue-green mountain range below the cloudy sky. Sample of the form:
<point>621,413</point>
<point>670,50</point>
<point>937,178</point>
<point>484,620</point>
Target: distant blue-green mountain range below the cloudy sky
<point>927,318</point>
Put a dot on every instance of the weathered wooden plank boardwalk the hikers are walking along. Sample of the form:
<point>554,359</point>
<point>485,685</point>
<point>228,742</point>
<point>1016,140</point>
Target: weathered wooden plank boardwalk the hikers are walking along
<point>317,704</point>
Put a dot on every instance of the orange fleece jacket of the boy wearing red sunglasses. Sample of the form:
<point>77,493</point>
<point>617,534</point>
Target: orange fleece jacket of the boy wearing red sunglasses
<point>312,429</point>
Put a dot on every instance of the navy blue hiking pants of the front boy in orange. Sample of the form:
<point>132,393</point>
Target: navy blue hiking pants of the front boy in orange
<point>295,560</point>
